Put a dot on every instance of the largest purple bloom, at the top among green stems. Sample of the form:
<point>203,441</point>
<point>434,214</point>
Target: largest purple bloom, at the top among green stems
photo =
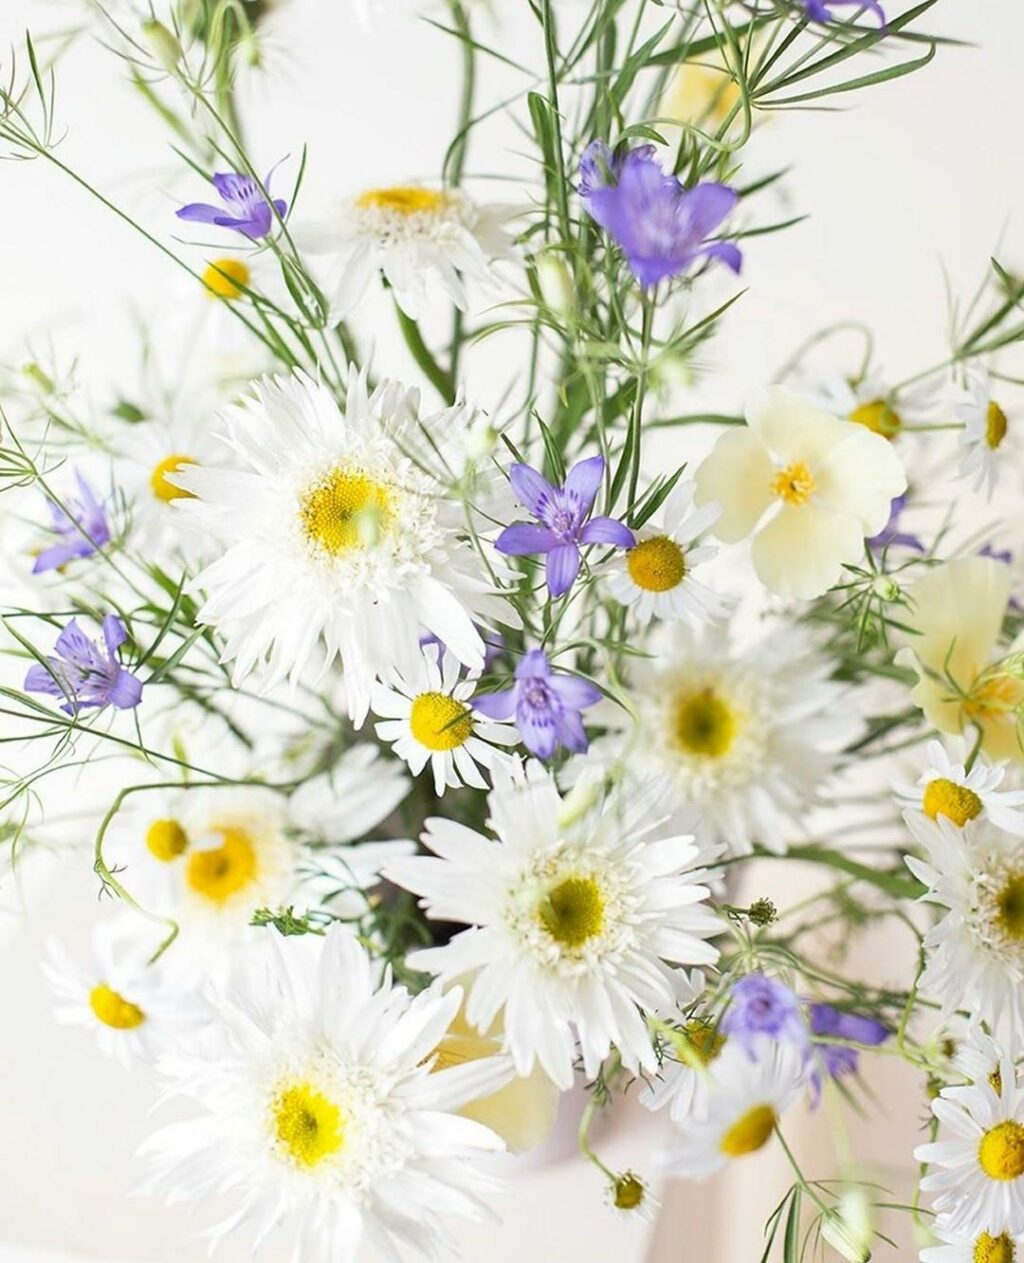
<point>662,227</point>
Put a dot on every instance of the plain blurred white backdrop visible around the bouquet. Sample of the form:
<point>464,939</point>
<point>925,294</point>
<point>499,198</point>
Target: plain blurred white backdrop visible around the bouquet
<point>922,175</point>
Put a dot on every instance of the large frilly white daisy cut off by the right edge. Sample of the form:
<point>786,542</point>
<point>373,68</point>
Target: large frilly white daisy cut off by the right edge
<point>975,953</point>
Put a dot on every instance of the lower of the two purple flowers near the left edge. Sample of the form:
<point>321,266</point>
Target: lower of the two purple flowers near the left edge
<point>84,674</point>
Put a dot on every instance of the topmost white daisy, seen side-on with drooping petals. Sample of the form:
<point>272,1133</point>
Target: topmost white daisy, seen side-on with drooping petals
<point>420,239</point>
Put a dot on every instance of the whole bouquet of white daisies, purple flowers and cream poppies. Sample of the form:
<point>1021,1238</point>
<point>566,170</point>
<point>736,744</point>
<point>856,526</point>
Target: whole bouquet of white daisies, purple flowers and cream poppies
<point>432,739</point>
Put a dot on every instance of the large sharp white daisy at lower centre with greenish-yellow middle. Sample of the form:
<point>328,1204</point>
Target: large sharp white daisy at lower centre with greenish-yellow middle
<point>571,926</point>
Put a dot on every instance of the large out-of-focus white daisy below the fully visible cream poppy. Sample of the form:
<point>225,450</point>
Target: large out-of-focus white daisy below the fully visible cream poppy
<point>748,738</point>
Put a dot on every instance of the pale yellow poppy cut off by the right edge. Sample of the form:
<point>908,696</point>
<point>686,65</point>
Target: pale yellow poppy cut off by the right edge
<point>956,616</point>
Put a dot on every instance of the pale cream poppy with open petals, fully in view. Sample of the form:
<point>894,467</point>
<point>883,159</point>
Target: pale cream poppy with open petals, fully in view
<point>809,487</point>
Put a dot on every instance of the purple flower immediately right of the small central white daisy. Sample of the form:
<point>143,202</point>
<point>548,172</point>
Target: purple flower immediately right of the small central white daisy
<point>546,705</point>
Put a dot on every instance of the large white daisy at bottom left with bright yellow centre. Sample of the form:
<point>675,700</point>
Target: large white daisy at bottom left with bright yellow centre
<point>319,1112</point>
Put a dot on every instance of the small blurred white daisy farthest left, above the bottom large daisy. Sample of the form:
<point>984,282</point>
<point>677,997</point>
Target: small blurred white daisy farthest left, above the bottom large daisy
<point>136,1009</point>
